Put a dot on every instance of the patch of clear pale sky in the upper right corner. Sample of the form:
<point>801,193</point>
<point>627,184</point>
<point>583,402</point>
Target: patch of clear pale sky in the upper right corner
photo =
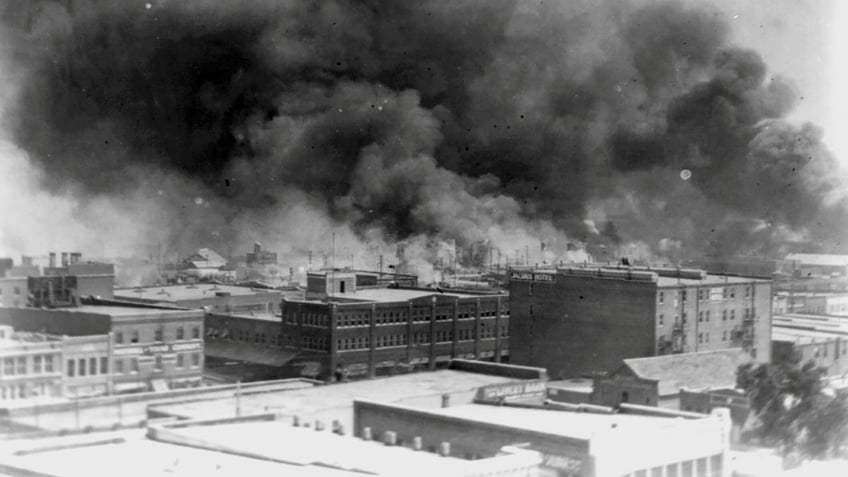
<point>799,39</point>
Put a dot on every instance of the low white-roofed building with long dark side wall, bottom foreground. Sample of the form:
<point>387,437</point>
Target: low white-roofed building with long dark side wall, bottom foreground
<point>584,444</point>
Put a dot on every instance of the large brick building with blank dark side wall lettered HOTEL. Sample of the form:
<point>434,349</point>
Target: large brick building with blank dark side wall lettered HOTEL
<point>578,321</point>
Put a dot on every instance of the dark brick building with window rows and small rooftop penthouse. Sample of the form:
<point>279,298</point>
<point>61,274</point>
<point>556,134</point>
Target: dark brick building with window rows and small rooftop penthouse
<point>347,331</point>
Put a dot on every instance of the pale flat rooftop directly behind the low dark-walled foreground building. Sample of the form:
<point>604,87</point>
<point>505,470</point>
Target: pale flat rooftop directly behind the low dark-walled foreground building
<point>335,401</point>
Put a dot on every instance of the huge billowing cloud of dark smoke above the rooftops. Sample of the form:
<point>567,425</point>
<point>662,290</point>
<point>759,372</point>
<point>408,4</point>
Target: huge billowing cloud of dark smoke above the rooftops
<point>212,123</point>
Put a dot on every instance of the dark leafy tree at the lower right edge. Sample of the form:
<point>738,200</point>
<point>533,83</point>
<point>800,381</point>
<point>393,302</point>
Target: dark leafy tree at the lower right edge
<point>794,410</point>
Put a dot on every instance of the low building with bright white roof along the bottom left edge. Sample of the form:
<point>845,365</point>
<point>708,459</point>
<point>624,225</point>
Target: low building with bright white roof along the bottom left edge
<point>248,446</point>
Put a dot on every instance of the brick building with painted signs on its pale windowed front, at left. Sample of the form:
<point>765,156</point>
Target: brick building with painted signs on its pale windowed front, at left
<point>150,349</point>
